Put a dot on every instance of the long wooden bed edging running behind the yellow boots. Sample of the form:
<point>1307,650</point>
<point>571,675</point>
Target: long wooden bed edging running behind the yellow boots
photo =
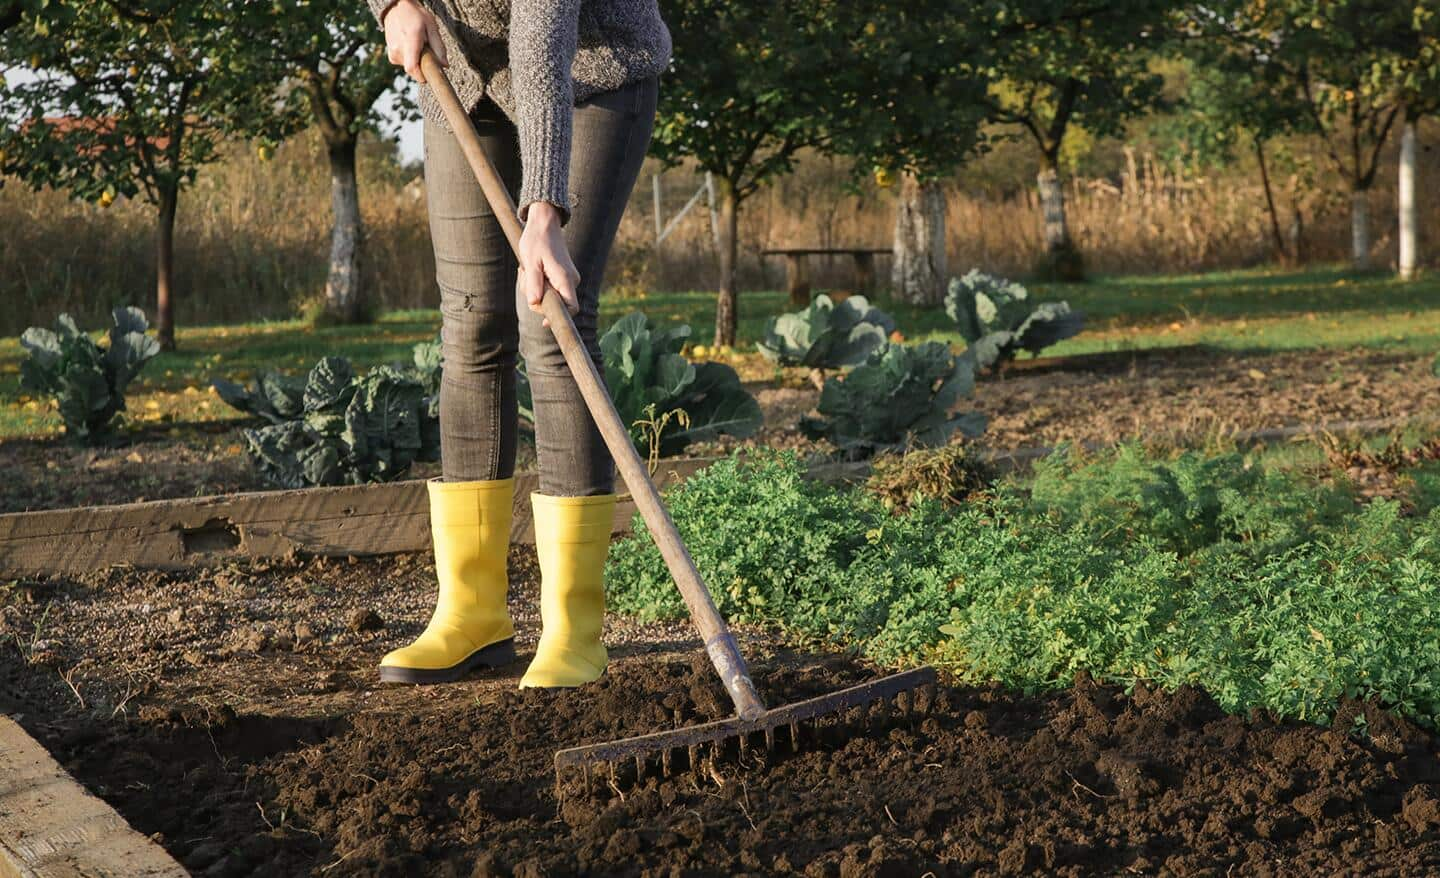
<point>364,520</point>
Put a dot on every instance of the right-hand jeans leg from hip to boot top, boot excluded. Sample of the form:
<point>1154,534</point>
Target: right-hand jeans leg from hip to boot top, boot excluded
<point>611,136</point>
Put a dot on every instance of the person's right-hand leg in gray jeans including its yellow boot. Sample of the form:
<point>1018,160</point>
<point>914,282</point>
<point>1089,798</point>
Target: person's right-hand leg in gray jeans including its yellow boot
<point>575,507</point>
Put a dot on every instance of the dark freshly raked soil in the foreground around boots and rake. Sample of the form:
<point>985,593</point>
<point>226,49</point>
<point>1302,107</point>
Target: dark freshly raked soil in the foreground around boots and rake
<point>251,749</point>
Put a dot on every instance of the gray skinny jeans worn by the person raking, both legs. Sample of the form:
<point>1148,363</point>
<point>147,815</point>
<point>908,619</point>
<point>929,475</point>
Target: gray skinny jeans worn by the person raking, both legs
<point>485,322</point>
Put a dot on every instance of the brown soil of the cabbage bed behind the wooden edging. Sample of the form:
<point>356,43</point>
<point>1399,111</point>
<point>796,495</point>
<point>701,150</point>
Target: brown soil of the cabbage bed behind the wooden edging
<point>1183,395</point>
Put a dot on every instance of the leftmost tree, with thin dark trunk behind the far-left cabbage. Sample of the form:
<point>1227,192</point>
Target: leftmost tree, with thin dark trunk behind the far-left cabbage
<point>129,100</point>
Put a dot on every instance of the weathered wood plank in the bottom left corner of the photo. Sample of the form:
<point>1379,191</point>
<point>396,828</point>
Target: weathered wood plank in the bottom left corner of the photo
<point>53,828</point>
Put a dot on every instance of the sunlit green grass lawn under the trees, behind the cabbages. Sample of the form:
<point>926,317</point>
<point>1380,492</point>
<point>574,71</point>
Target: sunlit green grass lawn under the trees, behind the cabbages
<point>1251,310</point>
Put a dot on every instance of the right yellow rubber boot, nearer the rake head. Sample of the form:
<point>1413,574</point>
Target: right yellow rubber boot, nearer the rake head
<point>572,539</point>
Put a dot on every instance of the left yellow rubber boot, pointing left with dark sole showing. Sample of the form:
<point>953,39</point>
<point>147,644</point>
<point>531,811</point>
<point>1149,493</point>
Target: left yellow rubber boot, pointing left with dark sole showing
<point>470,628</point>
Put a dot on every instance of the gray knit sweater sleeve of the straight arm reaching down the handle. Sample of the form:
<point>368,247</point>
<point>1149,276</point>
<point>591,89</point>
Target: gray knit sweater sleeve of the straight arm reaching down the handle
<point>544,38</point>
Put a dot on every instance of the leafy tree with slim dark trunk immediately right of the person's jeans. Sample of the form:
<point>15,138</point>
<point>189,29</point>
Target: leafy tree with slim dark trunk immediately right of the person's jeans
<point>752,87</point>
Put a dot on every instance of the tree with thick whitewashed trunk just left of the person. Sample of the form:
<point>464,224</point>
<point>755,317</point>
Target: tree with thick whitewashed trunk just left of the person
<point>332,58</point>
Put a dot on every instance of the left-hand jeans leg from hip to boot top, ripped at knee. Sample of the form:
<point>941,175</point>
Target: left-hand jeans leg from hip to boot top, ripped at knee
<point>476,273</point>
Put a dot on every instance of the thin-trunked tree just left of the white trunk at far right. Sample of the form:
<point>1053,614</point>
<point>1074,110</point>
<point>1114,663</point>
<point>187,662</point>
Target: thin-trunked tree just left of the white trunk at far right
<point>1327,60</point>
